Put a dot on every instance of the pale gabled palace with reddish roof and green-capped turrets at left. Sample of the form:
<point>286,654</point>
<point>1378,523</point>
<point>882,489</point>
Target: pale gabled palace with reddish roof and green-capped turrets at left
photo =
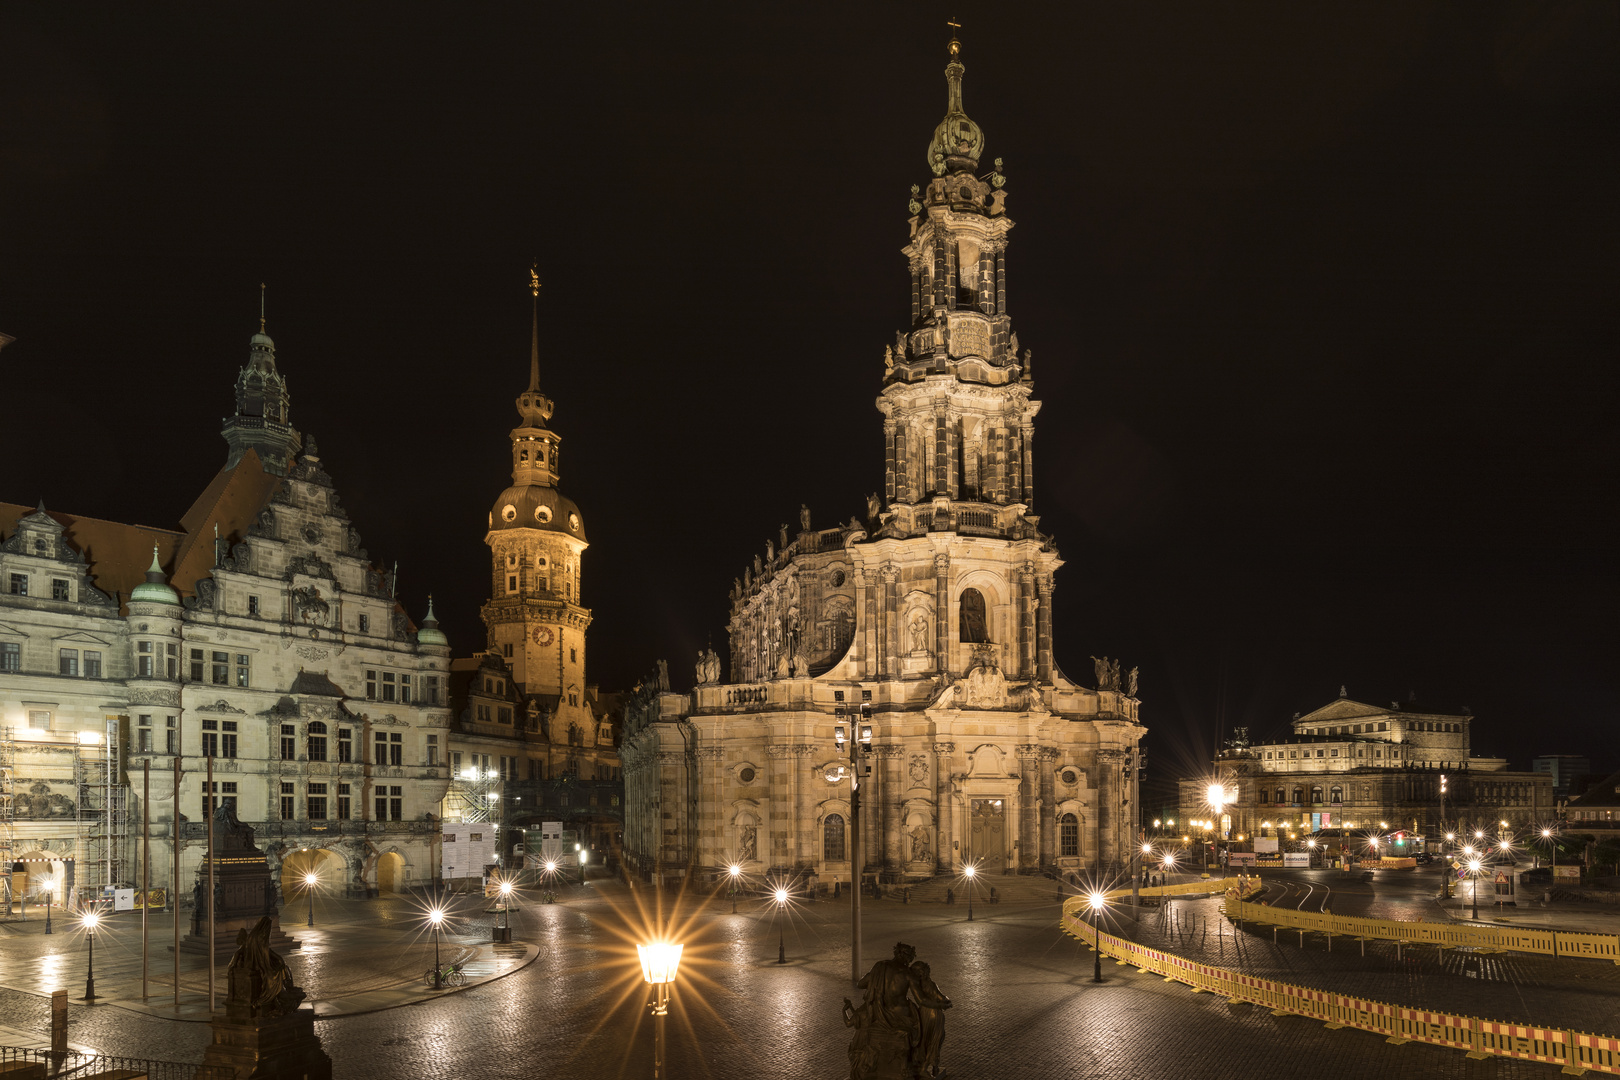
<point>257,637</point>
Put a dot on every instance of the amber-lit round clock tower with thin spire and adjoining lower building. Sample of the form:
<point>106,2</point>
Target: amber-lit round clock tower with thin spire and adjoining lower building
<point>532,741</point>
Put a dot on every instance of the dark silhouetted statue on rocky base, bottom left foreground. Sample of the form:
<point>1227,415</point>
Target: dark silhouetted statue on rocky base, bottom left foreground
<point>265,1034</point>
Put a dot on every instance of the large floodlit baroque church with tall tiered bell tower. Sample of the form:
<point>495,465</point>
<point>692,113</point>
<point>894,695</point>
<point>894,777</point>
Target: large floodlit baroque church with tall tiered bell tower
<point>934,610</point>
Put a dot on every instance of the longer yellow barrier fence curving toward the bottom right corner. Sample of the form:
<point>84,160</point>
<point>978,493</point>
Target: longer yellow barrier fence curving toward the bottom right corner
<point>1399,1024</point>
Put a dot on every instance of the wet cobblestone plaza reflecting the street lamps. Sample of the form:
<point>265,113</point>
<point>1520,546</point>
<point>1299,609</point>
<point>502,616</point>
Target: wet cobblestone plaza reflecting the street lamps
<point>1025,1001</point>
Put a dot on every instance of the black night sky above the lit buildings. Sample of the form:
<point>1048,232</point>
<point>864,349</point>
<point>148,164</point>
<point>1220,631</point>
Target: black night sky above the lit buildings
<point>1323,305</point>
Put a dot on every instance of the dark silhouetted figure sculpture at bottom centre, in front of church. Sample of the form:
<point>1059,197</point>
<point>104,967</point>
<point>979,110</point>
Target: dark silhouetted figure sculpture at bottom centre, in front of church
<point>900,1027</point>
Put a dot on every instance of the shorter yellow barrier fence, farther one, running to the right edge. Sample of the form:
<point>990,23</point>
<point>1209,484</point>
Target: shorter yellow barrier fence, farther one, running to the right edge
<point>1548,943</point>
